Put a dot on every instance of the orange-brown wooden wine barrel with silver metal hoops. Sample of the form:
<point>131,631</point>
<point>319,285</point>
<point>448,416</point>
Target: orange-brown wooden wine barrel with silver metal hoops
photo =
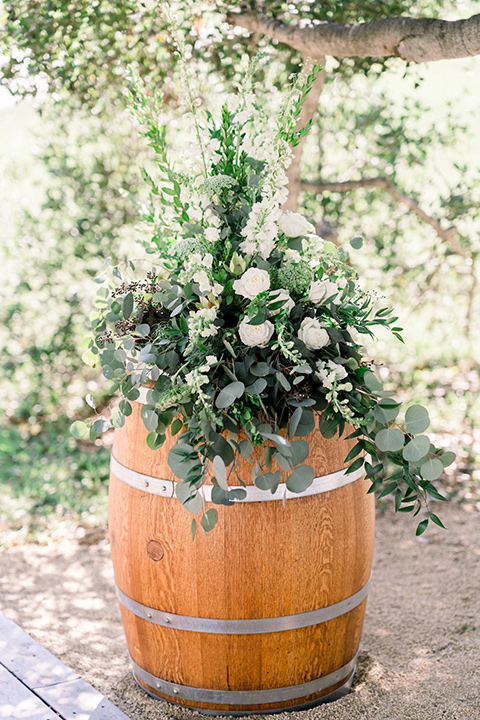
<point>263,614</point>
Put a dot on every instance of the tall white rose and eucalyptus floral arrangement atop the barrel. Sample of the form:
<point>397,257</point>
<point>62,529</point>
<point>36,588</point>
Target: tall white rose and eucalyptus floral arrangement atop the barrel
<point>246,326</point>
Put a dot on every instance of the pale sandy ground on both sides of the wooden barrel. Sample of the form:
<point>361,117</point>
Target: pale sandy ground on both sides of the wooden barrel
<point>420,651</point>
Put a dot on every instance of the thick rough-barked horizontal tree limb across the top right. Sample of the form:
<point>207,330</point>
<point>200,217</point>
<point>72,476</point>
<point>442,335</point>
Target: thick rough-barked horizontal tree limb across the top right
<point>412,39</point>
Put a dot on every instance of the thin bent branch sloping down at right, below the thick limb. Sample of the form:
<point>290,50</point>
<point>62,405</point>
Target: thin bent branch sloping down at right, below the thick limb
<point>450,235</point>
